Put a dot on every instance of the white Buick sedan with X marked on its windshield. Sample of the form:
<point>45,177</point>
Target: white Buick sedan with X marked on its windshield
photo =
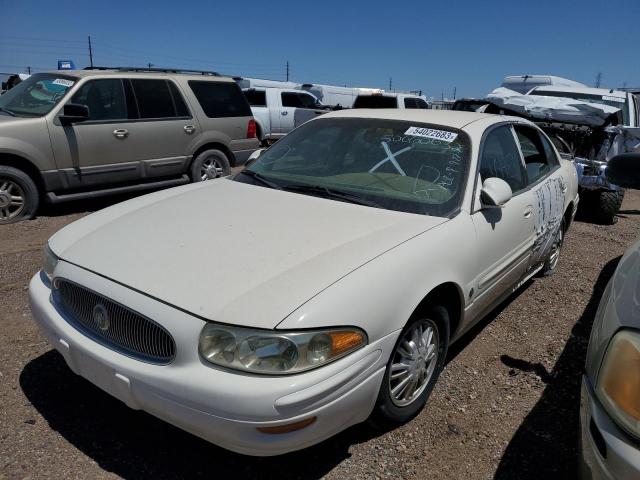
<point>318,288</point>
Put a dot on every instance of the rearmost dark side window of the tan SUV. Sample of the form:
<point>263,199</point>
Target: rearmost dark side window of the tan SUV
<point>220,99</point>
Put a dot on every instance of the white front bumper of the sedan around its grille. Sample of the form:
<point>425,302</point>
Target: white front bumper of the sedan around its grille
<point>220,406</point>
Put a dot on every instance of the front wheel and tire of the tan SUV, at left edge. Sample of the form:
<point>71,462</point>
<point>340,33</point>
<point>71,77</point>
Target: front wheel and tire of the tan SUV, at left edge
<point>19,196</point>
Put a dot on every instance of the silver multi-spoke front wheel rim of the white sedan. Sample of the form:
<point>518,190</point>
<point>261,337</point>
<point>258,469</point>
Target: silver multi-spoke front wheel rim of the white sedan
<point>414,362</point>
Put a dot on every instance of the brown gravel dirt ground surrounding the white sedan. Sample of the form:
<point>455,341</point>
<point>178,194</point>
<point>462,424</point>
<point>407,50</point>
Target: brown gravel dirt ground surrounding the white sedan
<point>506,405</point>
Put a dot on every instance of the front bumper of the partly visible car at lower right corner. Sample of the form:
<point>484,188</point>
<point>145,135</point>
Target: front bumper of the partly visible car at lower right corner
<point>607,452</point>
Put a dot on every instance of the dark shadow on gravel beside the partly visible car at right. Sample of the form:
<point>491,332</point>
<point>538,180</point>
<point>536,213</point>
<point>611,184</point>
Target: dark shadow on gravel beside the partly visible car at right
<point>546,445</point>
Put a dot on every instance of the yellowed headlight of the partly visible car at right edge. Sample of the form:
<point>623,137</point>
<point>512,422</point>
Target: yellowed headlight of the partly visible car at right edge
<point>618,384</point>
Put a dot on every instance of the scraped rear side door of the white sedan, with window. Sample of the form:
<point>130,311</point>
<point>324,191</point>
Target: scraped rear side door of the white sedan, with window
<point>548,189</point>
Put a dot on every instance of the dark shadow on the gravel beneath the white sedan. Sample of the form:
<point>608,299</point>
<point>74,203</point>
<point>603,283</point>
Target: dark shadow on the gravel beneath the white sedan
<point>134,444</point>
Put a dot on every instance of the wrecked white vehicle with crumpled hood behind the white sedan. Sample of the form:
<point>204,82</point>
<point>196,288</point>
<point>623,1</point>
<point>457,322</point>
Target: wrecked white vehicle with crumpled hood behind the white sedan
<point>587,125</point>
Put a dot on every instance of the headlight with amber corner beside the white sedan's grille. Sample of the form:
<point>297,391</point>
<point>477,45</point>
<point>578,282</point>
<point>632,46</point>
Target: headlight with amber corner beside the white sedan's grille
<point>273,352</point>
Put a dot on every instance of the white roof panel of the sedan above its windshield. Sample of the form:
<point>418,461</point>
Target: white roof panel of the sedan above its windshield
<point>451,118</point>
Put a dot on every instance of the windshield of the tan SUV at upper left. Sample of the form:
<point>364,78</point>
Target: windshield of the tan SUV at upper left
<point>36,95</point>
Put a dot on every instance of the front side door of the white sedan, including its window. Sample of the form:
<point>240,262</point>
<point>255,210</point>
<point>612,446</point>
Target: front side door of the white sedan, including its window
<point>504,235</point>
